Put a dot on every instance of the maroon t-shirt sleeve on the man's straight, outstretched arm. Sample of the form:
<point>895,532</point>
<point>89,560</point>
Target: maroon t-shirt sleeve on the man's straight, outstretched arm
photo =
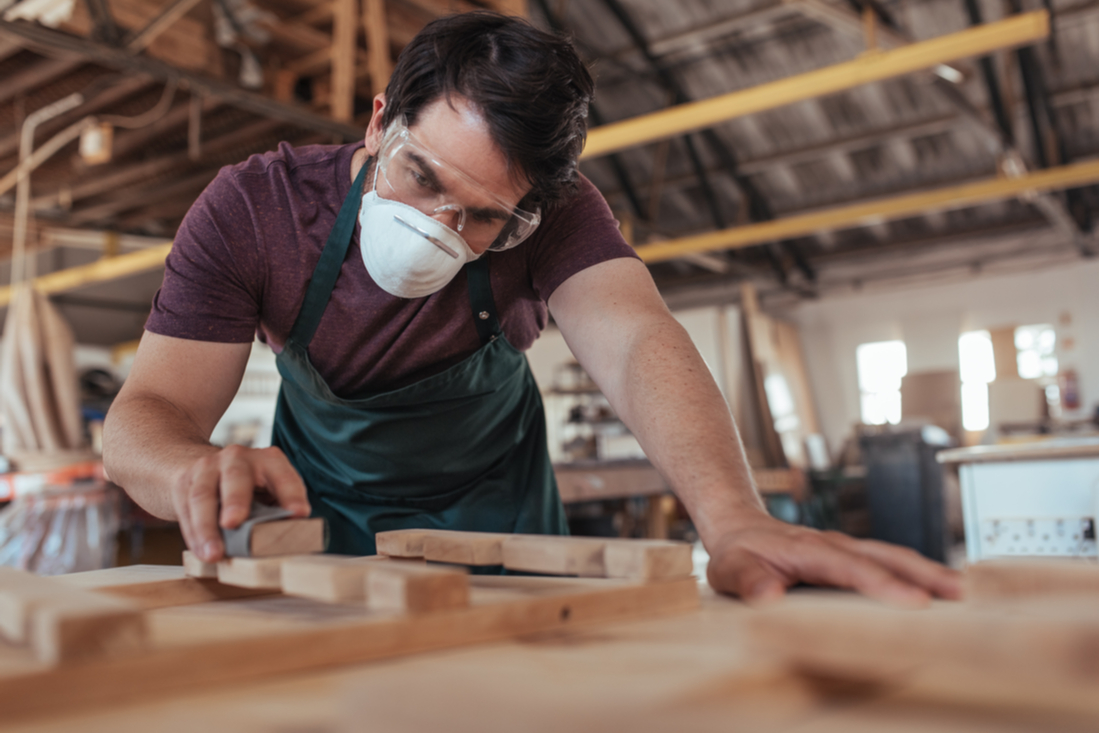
<point>577,235</point>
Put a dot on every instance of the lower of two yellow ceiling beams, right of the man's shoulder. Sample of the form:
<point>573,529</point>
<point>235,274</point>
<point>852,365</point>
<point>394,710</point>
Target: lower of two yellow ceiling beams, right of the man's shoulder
<point>873,212</point>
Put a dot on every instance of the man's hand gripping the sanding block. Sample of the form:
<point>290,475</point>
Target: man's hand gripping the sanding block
<point>228,479</point>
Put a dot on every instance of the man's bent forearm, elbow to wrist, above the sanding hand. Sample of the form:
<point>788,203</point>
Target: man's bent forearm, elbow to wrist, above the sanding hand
<point>149,443</point>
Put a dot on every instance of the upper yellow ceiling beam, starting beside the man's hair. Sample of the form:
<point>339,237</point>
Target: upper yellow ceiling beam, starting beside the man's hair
<point>872,67</point>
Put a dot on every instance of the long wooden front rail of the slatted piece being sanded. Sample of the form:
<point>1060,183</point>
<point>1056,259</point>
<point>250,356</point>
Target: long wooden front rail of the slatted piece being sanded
<point>177,669</point>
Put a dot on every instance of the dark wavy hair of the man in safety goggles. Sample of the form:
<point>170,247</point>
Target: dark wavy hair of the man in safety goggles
<point>531,86</point>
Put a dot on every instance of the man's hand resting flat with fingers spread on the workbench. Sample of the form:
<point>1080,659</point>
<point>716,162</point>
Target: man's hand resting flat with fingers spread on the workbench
<point>761,557</point>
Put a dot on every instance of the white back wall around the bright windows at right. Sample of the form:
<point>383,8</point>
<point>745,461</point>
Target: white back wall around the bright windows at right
<point>931,320</point>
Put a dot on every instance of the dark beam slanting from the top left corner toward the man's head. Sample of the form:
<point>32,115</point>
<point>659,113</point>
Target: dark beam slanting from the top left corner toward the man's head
<point>54,42</point>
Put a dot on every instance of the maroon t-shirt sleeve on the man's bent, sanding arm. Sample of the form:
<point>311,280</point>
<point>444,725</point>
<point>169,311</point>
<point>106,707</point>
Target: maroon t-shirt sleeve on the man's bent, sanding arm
<point>213,280</point>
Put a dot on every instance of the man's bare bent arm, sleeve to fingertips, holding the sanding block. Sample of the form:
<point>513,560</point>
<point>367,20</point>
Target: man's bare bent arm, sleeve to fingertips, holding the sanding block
<point>157,442</point>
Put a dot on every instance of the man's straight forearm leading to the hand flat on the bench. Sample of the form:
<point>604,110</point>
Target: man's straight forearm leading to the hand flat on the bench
<point>666,396</point>
